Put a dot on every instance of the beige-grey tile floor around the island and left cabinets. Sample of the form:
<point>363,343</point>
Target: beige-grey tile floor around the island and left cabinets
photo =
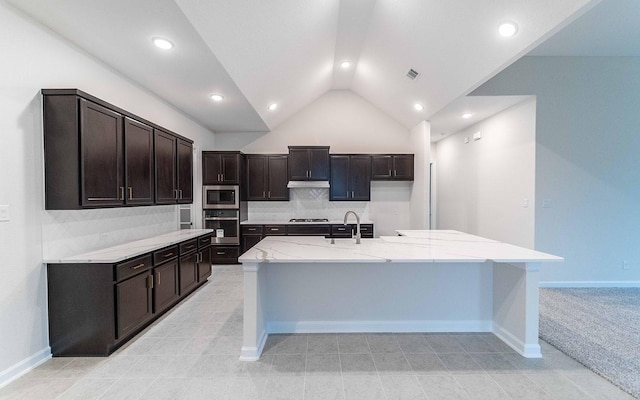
<point>192,353</point>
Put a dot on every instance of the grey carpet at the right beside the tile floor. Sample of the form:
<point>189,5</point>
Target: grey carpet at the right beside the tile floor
<point>599,327</point>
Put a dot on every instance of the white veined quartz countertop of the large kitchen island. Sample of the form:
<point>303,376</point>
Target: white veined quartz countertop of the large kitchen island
<point>439,246</point>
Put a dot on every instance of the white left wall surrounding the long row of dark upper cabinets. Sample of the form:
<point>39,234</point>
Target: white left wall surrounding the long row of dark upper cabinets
<point>32,59</point>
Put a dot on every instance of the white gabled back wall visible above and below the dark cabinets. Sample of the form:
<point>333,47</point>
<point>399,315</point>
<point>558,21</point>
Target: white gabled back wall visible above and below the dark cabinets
<point>348,124</point>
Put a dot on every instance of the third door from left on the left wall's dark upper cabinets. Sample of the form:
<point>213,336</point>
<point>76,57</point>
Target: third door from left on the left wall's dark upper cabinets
<point>165,167</point>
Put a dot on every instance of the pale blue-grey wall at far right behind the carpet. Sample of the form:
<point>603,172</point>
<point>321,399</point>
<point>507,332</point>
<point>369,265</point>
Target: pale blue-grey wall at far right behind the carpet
<point>587,163</point>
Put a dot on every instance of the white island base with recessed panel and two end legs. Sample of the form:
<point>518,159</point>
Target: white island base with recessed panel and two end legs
<point>291,297</point>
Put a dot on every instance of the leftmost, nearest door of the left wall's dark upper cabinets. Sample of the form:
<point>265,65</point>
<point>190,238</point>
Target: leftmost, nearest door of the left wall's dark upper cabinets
<point>101,175</point>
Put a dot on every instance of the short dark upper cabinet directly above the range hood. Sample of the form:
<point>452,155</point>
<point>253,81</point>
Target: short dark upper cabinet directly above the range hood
<point>308,163</point>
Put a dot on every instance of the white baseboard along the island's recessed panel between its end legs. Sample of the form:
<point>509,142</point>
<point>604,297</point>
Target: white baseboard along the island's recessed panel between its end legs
<point>378,326</point>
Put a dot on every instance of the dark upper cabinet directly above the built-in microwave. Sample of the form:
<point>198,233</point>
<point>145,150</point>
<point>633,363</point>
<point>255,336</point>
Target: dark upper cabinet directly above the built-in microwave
<point>221,168</point>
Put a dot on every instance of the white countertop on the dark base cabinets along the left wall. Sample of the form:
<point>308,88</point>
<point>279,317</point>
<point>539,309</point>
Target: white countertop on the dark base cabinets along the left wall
<point>132,249</point>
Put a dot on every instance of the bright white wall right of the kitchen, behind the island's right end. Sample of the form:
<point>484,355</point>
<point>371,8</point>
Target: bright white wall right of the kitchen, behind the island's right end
<point>482,185</point>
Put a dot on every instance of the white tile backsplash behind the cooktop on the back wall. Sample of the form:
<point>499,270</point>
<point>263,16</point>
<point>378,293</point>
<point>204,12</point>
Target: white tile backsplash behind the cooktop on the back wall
<point>306,203</point>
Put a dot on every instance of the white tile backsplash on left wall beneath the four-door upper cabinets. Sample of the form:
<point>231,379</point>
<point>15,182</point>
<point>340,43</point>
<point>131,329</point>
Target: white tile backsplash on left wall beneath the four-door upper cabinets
<point>70,232</point>
